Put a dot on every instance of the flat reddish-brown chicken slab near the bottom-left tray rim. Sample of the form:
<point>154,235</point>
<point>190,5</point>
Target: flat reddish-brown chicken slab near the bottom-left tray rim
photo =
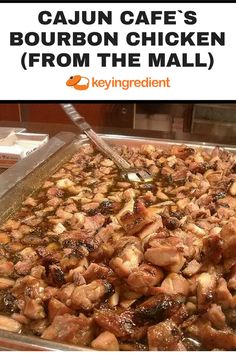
<point>70,329</point>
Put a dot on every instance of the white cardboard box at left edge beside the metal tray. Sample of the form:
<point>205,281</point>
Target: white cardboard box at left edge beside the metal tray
<point>17,146</point>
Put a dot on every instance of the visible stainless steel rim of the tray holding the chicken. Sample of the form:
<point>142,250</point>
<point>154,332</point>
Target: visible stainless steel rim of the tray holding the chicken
<point>27,176</point>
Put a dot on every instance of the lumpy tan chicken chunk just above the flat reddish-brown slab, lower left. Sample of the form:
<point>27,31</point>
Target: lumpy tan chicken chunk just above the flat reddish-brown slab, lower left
<point>86,297</point>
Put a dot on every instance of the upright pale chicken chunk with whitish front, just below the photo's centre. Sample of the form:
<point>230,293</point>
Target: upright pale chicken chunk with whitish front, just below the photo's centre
<point>127,257</point>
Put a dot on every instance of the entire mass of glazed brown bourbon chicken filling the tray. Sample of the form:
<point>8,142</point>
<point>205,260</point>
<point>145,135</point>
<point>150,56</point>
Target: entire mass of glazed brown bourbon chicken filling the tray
<point>96,261</point>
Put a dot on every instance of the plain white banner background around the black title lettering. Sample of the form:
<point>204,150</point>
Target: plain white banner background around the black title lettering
<point>39,83</point>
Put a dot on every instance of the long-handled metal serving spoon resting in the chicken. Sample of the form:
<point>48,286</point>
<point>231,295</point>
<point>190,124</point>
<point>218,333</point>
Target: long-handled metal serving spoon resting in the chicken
<point>132,174</point>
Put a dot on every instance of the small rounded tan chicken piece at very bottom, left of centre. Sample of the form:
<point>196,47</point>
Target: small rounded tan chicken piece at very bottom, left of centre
<point>106,341</point>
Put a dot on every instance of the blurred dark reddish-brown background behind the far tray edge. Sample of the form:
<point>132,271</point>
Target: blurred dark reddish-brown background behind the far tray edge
<point>215,120</point>
